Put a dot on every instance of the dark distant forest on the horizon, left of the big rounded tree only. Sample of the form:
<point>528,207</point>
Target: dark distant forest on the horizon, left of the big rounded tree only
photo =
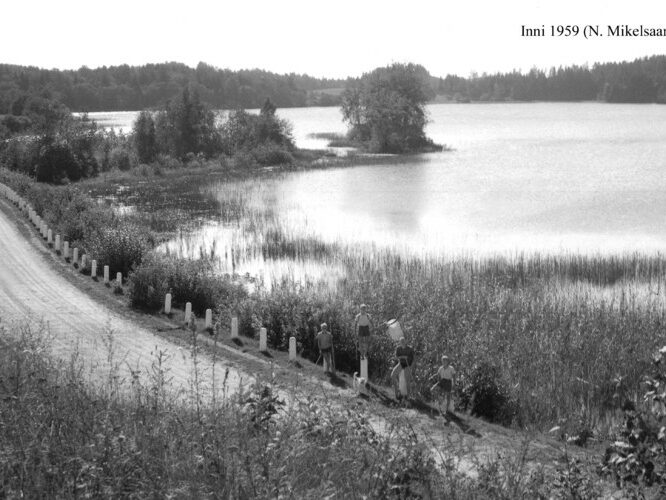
<point>118,88</point>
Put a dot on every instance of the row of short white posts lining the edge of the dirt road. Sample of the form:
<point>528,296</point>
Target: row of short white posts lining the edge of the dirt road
<point>63,246</point>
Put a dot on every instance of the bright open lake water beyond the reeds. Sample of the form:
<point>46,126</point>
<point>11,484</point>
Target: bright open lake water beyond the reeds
<point>549,177</point>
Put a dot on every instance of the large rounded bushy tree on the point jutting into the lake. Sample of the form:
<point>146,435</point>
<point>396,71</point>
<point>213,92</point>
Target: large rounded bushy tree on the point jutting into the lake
<point>386,109</point>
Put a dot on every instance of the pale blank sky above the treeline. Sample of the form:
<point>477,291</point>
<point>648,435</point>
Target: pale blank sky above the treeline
<point>325,39</point>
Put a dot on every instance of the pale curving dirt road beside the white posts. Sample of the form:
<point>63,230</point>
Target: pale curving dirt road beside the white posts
<point>32,292</point>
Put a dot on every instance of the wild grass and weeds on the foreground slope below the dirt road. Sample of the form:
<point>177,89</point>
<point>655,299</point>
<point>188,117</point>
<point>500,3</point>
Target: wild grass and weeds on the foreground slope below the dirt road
<point>64,436</point>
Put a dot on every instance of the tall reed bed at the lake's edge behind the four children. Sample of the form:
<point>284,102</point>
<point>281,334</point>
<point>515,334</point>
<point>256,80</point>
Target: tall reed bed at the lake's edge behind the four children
<point>563,341</point>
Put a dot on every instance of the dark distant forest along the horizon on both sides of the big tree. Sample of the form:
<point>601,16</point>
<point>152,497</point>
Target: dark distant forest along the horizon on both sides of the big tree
<point>150,86</point>
